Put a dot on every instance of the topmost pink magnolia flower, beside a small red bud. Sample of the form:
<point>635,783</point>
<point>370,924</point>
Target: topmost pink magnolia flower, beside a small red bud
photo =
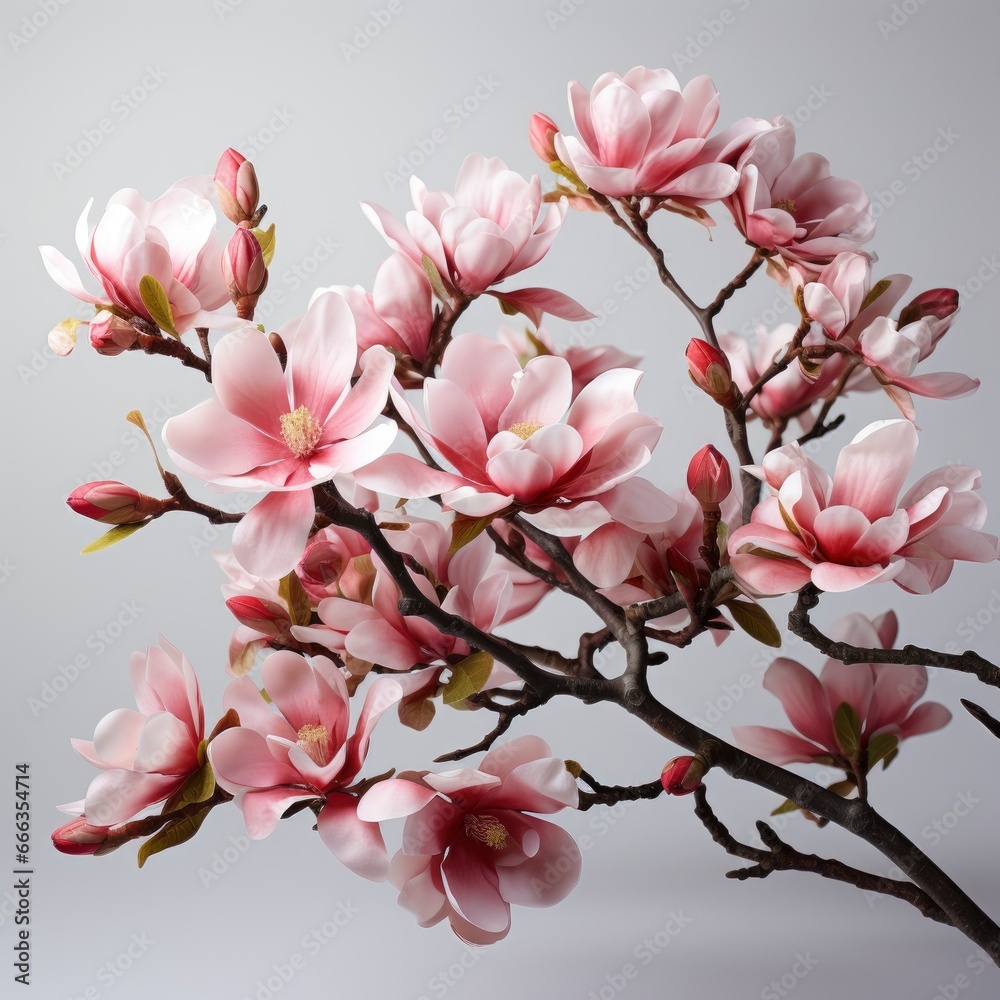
<point>640,134</point>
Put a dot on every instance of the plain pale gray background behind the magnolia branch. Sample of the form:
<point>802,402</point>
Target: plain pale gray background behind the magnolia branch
<point>327,128</point>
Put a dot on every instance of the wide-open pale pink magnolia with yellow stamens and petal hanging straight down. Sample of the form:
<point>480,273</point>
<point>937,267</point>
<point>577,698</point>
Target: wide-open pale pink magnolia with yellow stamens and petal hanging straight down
<point>285,431</point>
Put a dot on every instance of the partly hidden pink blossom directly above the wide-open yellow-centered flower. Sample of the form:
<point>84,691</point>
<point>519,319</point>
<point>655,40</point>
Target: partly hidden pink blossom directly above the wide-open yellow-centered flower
<point>398,313</point>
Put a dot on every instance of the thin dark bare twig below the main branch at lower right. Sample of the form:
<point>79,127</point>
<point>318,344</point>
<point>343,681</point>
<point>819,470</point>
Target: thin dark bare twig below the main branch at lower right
<point>779,856</point>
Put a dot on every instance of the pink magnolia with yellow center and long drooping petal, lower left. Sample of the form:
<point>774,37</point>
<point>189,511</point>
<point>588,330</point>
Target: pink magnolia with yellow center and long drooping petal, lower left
<point>302,753</point>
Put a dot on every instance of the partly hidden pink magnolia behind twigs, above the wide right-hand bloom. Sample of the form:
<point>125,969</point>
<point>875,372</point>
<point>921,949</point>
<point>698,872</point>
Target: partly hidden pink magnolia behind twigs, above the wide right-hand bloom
<point>789,394</point>
